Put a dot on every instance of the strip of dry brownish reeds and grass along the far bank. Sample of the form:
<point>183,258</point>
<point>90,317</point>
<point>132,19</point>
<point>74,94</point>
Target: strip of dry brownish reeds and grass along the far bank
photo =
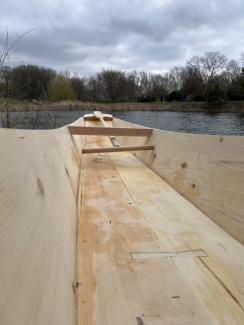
<point>23,106</point>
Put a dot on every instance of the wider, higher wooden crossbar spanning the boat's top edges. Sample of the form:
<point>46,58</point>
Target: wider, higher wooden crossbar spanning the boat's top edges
<point>108,131</point>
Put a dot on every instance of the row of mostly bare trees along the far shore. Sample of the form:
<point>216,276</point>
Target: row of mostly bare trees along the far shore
<point>210,77</point>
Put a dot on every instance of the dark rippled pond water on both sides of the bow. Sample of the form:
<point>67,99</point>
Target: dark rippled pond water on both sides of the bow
<point>220,123</point>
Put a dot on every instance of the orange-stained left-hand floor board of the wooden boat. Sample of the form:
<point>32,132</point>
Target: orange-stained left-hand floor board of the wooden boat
<point>113,288</point>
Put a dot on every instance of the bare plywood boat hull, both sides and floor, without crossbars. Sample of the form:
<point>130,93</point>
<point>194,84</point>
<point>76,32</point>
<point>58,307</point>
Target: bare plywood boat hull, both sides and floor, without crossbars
<point>102,239</point>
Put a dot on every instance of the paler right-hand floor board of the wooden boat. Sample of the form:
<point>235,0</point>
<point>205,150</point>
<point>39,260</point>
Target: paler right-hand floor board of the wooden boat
<point>216,279</point>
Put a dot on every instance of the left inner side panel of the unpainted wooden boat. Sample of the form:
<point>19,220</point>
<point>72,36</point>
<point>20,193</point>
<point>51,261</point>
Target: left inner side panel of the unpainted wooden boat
<point>39,173</point>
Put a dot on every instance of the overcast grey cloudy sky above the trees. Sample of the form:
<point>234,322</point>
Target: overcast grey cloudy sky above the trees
<point>84,36</point>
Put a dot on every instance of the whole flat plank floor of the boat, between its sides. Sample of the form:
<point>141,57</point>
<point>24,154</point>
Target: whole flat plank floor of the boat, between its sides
<point>189,270</point>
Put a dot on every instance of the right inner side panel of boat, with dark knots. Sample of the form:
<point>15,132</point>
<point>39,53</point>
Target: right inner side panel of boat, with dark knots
<point>207,169</point>
